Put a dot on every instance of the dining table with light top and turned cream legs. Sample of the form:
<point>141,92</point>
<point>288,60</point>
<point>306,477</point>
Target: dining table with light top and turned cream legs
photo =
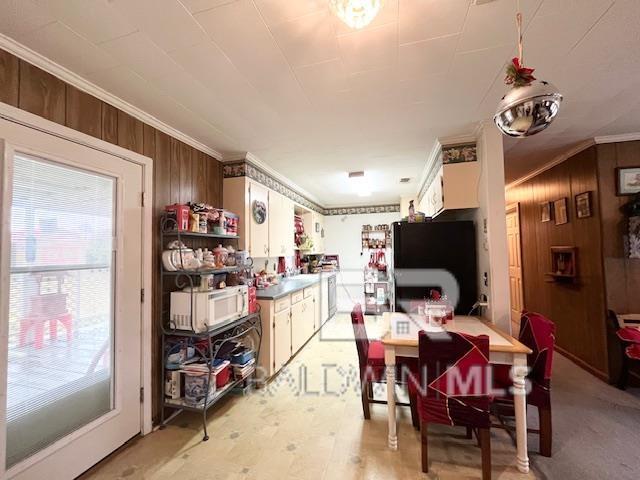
<point>400,339</point>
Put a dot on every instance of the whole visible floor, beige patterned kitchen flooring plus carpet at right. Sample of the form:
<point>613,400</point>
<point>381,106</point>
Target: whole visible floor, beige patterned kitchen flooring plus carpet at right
<point>309,425</point>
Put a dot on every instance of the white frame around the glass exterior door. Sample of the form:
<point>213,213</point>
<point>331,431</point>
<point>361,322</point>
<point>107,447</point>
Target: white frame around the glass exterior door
<point>21,117</point>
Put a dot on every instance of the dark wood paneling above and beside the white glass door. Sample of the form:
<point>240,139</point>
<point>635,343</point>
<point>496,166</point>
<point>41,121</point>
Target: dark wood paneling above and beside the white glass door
<point>181,173</point>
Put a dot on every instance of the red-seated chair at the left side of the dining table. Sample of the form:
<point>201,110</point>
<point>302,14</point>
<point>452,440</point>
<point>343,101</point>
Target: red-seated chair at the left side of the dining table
<point>372,366</point>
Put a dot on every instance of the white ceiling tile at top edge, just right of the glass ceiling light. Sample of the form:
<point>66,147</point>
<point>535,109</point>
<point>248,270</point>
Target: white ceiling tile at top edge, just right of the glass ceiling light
<point>427,19</point>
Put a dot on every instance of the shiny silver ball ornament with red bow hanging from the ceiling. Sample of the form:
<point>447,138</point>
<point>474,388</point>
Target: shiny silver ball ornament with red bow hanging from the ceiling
<point>531,105</point>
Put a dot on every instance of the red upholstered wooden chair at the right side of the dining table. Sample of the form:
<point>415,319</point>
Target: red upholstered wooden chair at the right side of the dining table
<point>538,333</point>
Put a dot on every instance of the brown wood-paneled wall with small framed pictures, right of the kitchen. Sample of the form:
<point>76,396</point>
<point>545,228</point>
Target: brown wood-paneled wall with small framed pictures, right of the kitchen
<point>578,310</point>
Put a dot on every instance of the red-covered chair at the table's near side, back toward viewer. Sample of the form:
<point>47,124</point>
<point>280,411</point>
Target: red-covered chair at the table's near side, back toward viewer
<point>452,388</point>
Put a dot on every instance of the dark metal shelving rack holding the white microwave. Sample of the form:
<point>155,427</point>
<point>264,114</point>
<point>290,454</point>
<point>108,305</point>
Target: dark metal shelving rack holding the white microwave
<point>215,337</point>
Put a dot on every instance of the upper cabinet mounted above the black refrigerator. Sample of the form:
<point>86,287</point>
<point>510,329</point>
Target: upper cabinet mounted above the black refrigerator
<point>450,186</point>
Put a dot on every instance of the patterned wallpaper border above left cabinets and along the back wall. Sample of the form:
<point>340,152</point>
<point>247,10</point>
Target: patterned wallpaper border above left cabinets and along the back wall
<point>244,168</point>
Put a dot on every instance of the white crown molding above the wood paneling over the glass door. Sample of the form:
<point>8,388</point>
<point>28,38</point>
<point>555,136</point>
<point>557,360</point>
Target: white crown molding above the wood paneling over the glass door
<point>66,75</point>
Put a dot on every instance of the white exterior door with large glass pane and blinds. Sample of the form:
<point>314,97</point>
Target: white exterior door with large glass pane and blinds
<point>70,309</point>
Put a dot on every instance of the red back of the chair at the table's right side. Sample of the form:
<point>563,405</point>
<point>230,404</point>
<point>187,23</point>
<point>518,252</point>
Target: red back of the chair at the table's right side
<point>538,333</point>
